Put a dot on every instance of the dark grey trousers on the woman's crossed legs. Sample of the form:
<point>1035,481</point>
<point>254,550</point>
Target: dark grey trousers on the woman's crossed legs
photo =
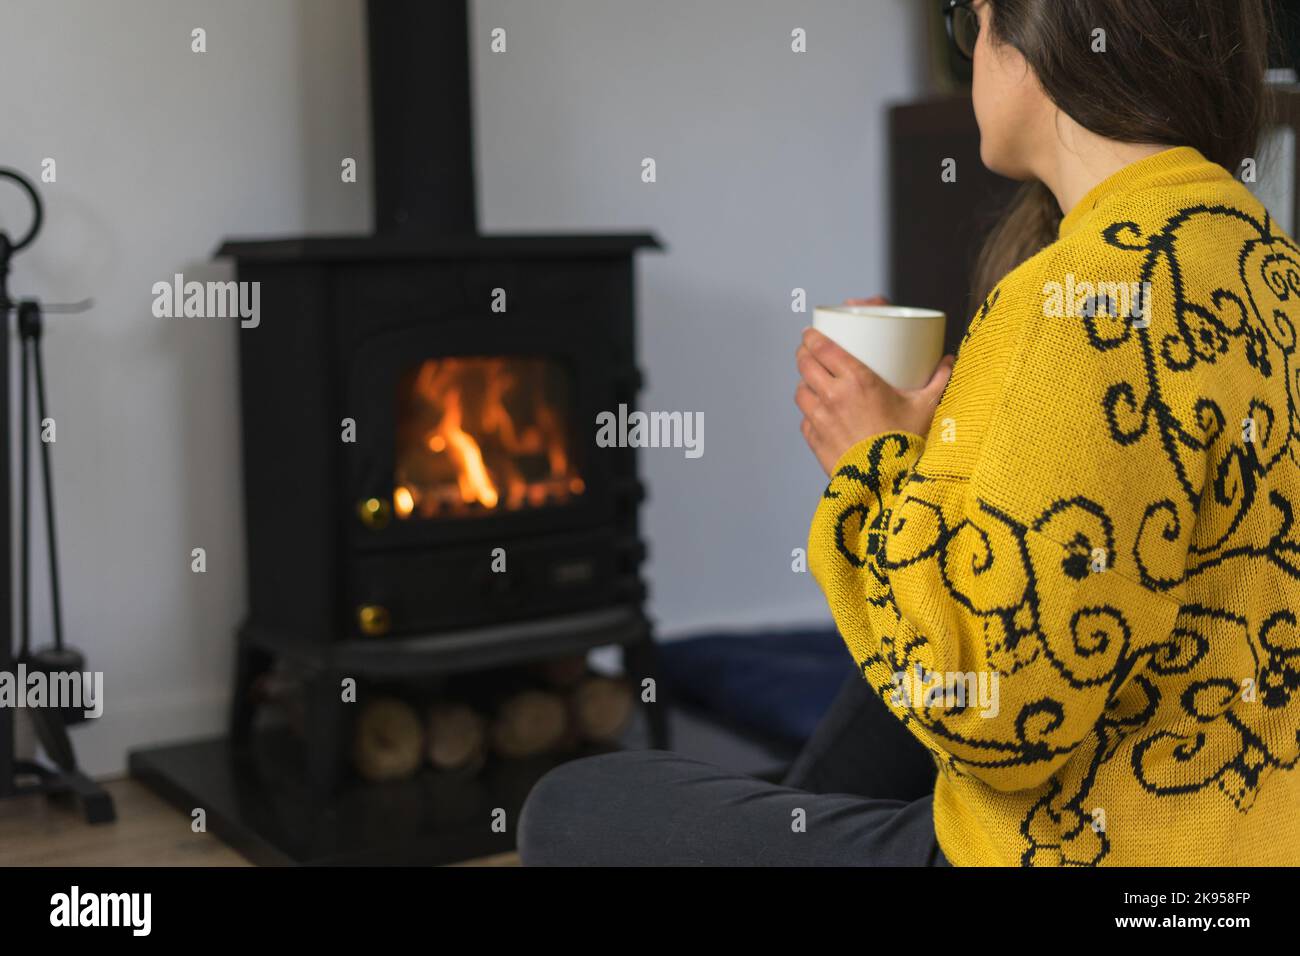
<point>860,794</point>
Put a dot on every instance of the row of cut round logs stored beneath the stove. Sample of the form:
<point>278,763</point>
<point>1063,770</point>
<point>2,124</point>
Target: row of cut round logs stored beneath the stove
<point>457,726</point>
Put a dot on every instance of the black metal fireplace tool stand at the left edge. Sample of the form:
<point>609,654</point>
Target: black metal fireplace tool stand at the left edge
<point>24,777</point>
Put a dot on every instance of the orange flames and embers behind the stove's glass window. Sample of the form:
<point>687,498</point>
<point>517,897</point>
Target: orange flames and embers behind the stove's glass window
<point>479,435</point>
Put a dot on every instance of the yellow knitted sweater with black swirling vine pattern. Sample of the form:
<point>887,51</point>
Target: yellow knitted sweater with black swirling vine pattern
<point>1081,589</point>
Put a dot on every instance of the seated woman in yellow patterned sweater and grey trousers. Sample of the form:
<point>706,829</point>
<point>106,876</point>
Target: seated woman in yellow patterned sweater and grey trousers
<point>1094,514</point>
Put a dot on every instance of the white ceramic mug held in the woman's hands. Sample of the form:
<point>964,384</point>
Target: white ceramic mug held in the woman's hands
<point>902,345</point>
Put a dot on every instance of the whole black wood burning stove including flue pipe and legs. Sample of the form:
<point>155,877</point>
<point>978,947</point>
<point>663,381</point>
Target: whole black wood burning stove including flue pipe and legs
<point>423,488</point>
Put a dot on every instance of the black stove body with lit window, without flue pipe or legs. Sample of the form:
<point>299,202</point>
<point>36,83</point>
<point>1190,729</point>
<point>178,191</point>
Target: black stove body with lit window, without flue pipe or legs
<point>404,442</point>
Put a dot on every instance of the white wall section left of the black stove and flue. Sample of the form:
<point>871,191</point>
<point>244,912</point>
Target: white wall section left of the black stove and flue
<point>161,154</point>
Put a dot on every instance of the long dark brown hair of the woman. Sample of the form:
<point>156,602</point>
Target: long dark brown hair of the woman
<point>1175,73</point>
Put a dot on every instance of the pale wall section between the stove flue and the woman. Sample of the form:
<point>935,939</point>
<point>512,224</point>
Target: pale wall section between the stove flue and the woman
<point>770,176</point>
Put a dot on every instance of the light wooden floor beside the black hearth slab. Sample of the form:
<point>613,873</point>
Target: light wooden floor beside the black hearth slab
<point>148,833</point>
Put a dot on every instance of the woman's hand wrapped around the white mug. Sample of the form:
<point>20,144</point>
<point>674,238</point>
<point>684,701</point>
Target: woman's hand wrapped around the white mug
<point>844,401</point>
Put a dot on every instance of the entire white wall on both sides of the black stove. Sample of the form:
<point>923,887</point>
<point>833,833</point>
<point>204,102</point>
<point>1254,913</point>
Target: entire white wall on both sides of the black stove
<point>770,178</point>
